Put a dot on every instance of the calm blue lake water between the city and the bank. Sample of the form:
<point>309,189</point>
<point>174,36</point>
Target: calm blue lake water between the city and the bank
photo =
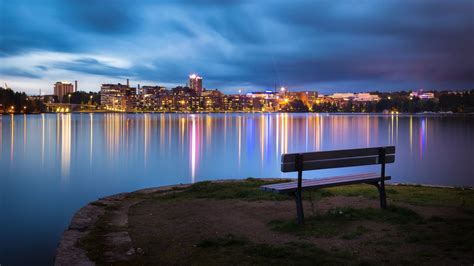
<point>52,164</point>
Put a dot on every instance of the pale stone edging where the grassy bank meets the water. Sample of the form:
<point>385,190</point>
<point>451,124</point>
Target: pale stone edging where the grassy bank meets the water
<point>84,220</point>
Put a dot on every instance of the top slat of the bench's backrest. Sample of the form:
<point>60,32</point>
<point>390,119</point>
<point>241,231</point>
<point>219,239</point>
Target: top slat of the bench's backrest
<point>324,155</point>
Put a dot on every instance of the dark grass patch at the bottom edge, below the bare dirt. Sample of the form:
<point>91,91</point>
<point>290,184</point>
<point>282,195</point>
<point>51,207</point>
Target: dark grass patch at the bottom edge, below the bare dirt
<point>239,250</point>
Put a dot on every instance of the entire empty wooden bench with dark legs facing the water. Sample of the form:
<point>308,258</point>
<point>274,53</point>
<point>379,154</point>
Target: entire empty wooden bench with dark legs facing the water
<point>299,162</point>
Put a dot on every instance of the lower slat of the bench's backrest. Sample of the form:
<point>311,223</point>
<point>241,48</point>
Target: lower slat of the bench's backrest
<point>346,162</point>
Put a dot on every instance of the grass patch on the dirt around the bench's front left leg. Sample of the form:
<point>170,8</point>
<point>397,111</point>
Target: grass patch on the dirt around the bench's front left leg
<point>337,221</point>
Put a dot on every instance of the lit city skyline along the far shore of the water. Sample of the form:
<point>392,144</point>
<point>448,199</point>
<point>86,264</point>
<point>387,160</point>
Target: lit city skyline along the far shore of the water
<point>194,97</point>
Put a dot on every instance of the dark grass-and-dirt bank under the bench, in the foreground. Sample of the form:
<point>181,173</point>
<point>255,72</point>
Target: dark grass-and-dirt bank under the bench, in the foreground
<point>216,223</point>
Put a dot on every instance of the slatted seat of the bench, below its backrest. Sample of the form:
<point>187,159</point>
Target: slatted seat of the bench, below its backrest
<point>325,182</point>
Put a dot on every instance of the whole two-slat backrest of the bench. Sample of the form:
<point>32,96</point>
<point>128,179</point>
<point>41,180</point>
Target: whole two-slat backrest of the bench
<point>293,162</point>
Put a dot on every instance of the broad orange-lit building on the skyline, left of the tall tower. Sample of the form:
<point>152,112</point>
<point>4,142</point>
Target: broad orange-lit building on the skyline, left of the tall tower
<point>118,97</point>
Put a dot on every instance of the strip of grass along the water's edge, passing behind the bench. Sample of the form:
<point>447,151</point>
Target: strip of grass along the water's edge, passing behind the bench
<point>248,190</point>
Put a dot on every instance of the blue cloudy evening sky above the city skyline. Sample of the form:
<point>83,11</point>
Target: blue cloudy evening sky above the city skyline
<point>329,46</point>
